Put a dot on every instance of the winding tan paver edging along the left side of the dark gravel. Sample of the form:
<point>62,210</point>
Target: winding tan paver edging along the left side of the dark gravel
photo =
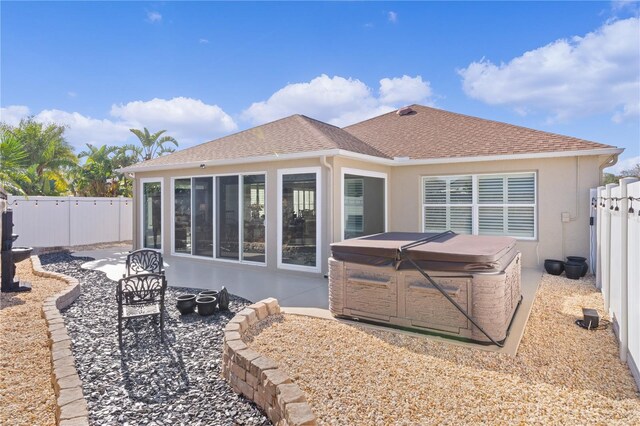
<point>71,407</point>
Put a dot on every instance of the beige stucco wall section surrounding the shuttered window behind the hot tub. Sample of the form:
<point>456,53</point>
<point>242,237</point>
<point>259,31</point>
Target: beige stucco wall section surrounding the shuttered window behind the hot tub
<point>562,184</point>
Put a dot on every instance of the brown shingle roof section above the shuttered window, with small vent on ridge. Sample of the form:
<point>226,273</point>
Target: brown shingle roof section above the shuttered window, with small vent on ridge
<point>434,133</point>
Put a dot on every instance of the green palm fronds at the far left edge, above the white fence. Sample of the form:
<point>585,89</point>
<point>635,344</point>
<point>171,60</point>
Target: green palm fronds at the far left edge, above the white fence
<point>13,161</point>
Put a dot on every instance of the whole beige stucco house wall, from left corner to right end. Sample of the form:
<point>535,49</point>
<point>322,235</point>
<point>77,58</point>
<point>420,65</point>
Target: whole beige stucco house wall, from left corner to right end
<point>562,183</point>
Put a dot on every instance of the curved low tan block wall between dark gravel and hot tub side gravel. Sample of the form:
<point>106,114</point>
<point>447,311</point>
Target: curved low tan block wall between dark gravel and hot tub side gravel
<point>257,377</point>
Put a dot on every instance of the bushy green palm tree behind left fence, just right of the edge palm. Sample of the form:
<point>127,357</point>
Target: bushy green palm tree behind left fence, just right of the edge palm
<point>49,156</point>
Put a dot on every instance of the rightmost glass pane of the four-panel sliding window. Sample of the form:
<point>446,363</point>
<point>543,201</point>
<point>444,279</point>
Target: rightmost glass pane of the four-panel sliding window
<point>253,245</point>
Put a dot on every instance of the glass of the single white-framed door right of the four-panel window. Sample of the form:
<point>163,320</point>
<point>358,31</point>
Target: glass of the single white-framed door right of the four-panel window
<point>299,210</point>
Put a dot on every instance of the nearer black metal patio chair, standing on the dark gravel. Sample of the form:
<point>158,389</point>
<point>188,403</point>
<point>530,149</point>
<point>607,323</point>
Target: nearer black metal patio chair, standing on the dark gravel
<point>139,296</point>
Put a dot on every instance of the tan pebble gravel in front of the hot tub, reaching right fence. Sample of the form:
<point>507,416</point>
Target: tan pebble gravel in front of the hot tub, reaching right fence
<point>562,374</point>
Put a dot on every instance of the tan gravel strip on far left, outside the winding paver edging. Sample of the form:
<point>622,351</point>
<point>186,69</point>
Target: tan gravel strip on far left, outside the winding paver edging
<point>26,393</point>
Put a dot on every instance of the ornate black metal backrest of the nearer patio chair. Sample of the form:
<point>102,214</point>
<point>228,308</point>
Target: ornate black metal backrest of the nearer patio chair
<point>141,289</point>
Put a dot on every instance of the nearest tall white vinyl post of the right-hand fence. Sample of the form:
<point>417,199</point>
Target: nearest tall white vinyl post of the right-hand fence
<point>624,273</point>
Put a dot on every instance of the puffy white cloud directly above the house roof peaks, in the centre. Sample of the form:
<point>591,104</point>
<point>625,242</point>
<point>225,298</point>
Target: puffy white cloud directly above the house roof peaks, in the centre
<point>338,100</point>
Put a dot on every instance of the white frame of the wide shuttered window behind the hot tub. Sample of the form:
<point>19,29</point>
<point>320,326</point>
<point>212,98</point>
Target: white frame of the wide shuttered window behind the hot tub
<point>475,205</point>
